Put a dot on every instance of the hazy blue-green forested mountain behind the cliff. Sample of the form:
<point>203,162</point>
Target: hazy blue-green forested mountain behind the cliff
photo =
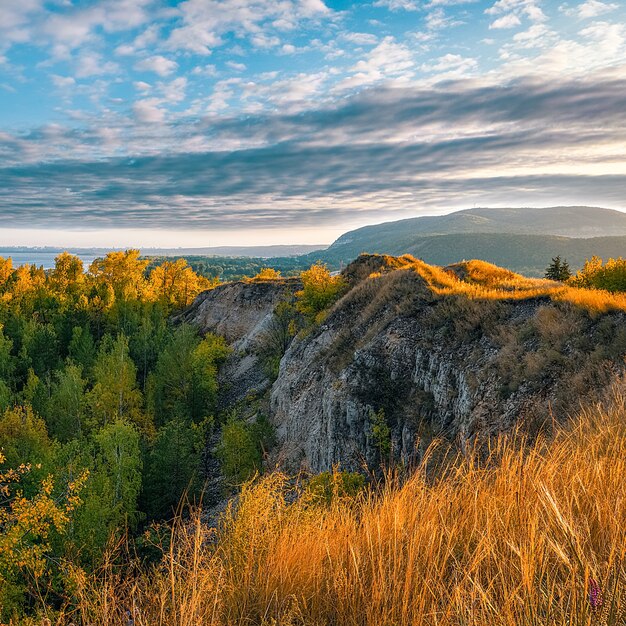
<point>521,239</point>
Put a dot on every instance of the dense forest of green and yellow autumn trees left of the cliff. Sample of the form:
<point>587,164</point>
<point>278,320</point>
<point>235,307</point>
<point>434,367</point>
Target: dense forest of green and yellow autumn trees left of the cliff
<point>77,351</point>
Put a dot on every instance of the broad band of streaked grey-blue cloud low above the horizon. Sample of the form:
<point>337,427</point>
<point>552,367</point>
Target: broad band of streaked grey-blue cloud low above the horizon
<point>382,150</point>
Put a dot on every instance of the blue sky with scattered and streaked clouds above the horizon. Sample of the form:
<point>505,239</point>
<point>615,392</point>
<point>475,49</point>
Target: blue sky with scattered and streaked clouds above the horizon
<point>245,122</point>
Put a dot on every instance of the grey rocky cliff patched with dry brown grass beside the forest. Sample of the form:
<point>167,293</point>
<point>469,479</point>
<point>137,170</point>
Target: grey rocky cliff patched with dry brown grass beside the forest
<point>428,363</point>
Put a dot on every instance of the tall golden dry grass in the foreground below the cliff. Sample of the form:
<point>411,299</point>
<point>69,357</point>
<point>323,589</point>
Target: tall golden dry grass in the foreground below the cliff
<point>509,536</point>
